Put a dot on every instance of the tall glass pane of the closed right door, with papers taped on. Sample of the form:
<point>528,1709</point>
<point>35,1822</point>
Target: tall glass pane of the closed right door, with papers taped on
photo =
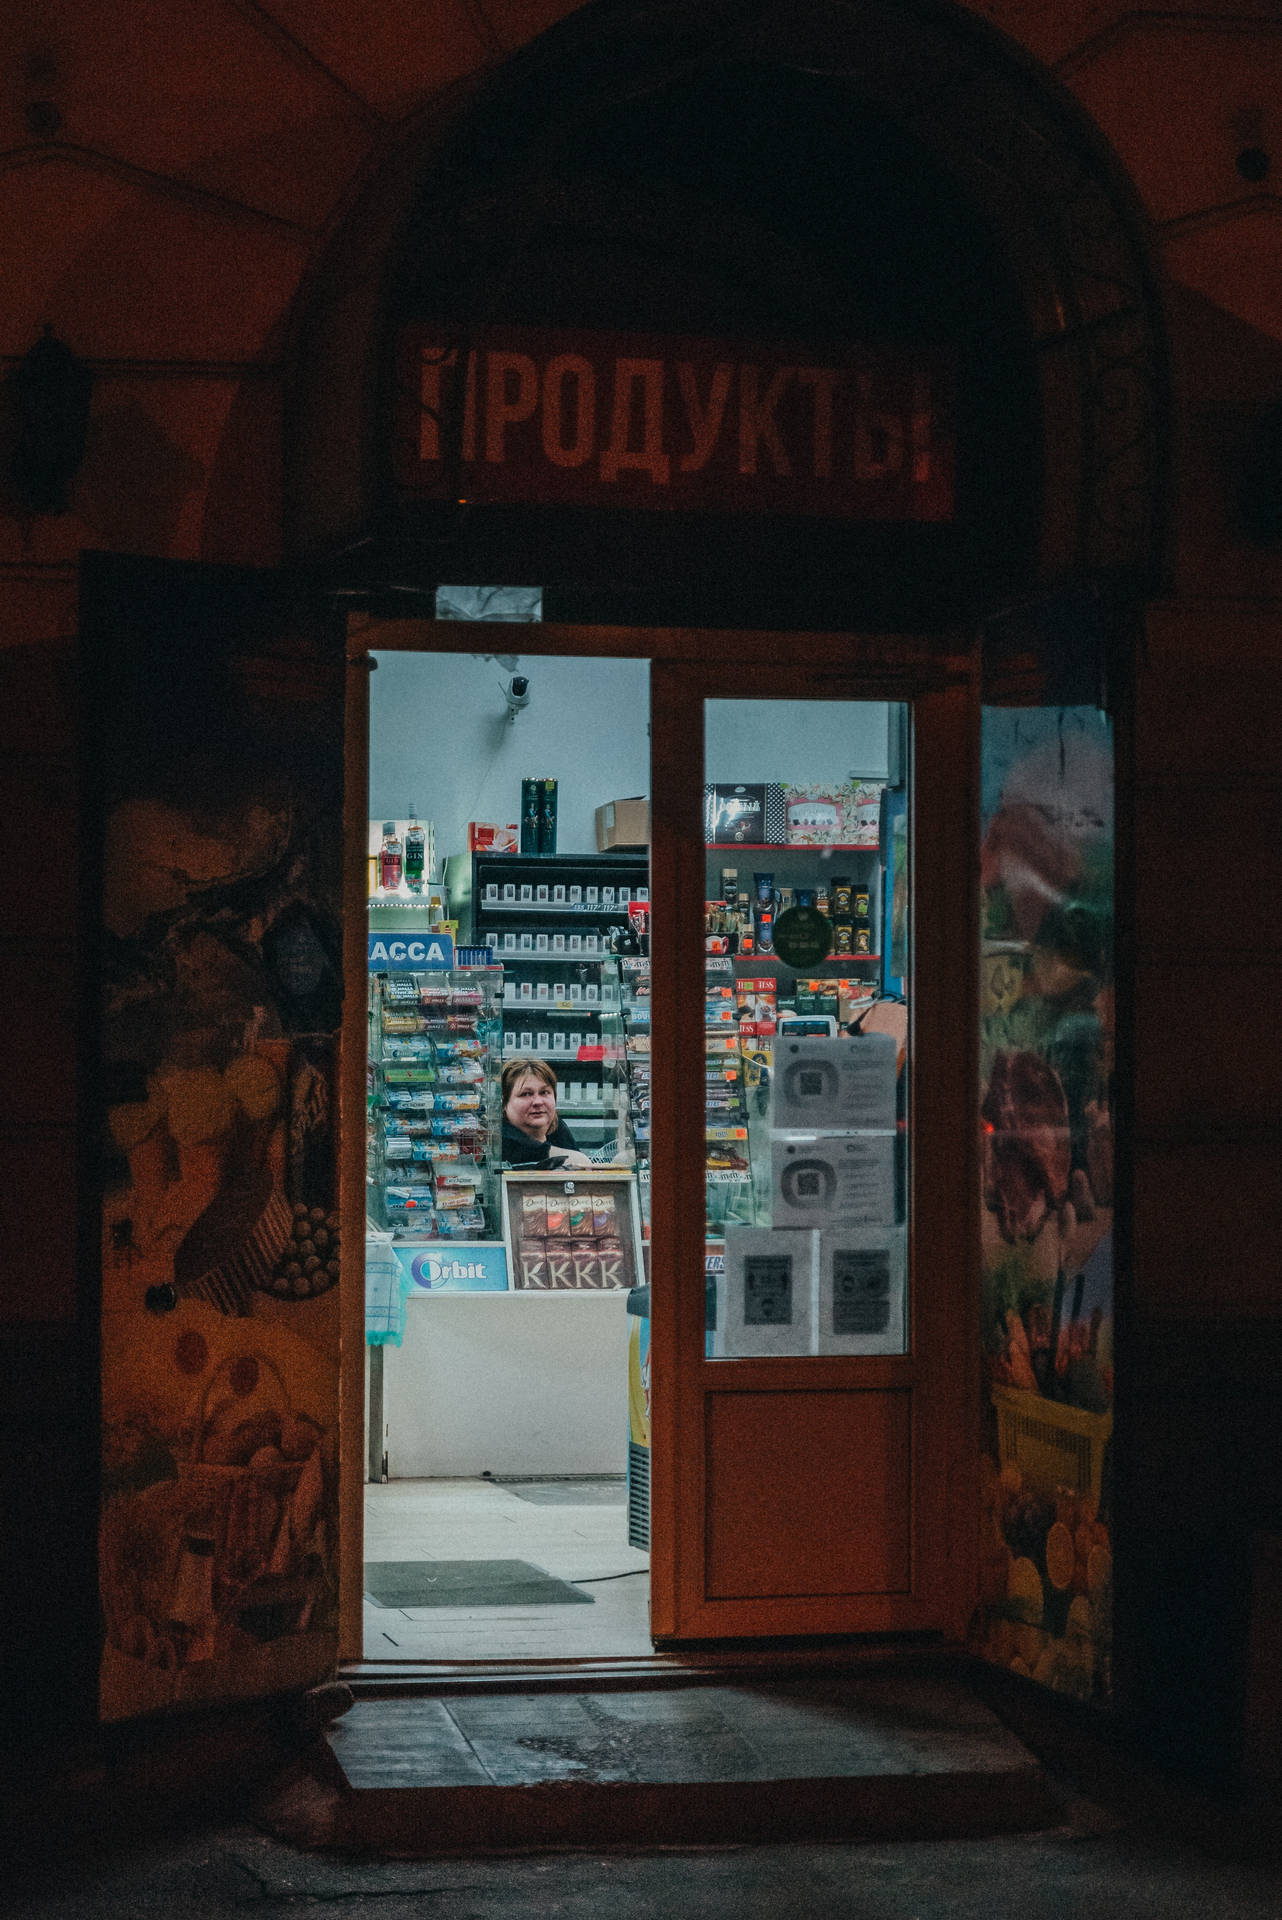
<point>807,980</point>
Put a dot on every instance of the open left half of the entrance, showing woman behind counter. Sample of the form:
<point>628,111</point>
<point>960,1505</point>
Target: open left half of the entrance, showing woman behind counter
<point>508,1132</point>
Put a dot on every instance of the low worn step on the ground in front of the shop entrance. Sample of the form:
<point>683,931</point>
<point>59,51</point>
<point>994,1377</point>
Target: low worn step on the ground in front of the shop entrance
<point>886,1756</point>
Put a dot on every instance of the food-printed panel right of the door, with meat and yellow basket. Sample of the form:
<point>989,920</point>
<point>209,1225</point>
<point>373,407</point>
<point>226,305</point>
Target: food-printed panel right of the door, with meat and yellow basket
<point>1047,1118</point>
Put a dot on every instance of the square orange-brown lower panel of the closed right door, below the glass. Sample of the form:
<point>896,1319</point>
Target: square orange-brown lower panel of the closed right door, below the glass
<point>811,1495</point>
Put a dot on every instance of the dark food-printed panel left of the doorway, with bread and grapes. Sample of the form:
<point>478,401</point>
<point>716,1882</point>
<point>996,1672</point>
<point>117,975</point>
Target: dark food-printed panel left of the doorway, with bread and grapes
<point>222,788</point>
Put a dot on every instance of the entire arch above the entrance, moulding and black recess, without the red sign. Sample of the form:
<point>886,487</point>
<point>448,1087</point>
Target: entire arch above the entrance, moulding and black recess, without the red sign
<point>542,203</point>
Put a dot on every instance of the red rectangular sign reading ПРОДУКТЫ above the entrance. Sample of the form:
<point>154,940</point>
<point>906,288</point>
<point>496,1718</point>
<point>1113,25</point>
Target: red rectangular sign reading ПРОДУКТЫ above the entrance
<point>506,416</point>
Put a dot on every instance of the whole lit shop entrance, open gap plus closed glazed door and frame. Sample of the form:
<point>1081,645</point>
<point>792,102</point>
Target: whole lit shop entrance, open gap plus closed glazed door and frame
<point>734,1406</point>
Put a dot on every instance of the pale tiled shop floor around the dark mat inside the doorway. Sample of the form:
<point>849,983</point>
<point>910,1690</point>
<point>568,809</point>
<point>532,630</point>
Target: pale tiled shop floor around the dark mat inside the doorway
<point>479,1520</point>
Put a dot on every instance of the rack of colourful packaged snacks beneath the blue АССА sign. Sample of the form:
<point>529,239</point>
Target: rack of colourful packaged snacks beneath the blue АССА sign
<point>435,1103</point>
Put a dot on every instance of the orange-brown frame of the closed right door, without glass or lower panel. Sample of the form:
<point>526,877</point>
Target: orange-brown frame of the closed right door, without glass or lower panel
<point>945,1214</point>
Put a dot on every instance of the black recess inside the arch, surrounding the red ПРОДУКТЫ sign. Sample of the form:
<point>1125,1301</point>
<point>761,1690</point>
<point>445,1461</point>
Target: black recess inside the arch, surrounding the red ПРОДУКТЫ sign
<point>738,201</point>
